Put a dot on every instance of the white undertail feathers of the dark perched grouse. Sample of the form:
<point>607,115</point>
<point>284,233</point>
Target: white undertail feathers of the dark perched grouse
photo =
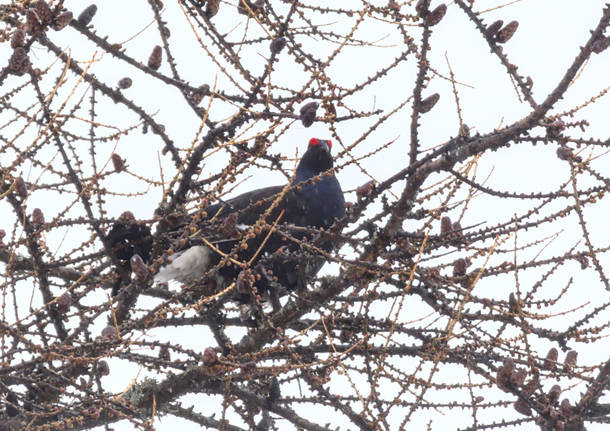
<point>186,266</point>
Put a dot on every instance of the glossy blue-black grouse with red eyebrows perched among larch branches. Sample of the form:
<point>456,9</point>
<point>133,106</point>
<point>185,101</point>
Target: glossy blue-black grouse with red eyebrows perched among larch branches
<point>266,233</point>
